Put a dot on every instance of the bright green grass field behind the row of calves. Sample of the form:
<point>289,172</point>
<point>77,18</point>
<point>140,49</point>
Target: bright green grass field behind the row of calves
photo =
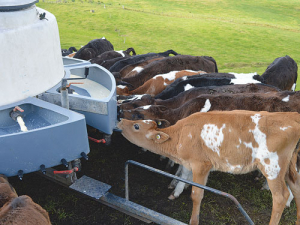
<point>243,36</point>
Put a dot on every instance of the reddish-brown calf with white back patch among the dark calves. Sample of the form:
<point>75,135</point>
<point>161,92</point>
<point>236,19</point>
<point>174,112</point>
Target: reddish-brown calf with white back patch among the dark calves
<point>157,84</point>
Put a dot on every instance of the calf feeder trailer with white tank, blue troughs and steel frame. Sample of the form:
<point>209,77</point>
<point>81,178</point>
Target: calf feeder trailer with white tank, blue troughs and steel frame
<point>46,102</point>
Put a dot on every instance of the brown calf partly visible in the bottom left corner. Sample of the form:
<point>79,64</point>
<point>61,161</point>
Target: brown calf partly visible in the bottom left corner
<point>20,210</point>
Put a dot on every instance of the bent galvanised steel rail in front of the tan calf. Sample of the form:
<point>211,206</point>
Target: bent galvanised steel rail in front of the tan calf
<point>185,181</point>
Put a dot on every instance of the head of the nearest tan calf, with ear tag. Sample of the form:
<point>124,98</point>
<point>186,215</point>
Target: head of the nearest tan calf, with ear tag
<point>143,133</point>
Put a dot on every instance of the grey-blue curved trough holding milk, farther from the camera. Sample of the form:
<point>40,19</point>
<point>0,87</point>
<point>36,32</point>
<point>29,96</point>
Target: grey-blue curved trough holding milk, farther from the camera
<point>92,92</point>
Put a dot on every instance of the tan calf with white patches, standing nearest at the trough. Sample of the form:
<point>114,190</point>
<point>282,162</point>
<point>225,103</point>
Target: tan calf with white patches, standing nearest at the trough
<point>237,142</point>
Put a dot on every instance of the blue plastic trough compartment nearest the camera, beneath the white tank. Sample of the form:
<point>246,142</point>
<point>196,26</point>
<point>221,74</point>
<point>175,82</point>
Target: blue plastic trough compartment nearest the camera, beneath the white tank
<point>52,134</point>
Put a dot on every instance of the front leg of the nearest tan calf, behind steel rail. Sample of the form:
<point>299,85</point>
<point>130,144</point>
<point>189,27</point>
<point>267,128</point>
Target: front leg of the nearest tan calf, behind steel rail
<point>200,175</point>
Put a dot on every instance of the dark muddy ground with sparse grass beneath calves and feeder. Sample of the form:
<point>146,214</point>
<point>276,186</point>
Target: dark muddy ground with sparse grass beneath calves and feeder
<point>106,163</point>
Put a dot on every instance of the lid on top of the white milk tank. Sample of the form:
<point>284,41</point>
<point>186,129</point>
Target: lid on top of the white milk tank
<point>16,5</point>
